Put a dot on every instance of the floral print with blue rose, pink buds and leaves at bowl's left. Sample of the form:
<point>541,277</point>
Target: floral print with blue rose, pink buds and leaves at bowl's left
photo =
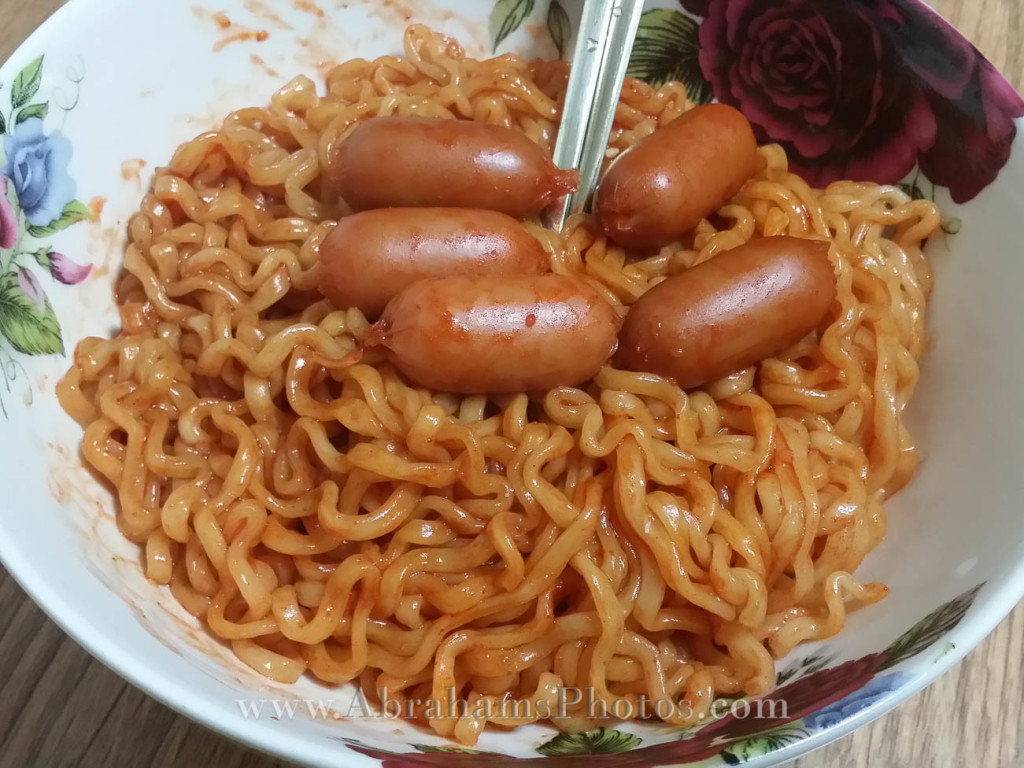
<point>37,201</point>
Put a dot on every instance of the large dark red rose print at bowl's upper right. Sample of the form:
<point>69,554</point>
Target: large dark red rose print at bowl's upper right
<point>862,90</point>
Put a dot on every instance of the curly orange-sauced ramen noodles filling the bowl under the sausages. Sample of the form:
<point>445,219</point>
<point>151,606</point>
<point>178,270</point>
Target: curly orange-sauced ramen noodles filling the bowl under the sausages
<point>324,515</point>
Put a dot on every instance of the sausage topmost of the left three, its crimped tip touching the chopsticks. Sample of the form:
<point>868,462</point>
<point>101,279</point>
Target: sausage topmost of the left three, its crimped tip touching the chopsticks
<point>400,162</point>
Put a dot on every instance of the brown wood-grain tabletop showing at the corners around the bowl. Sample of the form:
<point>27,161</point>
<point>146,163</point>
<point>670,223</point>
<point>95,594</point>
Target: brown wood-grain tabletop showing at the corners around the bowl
<point>59,707</point>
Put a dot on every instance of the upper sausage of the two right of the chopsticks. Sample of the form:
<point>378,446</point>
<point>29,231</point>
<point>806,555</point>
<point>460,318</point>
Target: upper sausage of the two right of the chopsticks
<point>684,173</point>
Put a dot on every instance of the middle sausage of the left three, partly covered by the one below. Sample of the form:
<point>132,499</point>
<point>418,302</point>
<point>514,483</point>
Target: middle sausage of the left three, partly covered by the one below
<point>369,258</point>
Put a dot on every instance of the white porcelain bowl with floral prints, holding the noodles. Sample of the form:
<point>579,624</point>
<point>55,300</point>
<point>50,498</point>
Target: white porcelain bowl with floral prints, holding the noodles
<point>868,90</point>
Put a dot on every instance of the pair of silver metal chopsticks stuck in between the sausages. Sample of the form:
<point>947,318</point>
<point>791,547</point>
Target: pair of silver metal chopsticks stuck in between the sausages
<point>603,54</point>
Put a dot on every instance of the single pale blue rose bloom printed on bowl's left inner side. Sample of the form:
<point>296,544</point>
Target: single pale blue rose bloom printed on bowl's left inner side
<point>37,165</point>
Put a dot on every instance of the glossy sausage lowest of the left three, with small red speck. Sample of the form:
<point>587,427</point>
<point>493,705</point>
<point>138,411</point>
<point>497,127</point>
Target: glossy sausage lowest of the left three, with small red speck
<point>498,335</point>
